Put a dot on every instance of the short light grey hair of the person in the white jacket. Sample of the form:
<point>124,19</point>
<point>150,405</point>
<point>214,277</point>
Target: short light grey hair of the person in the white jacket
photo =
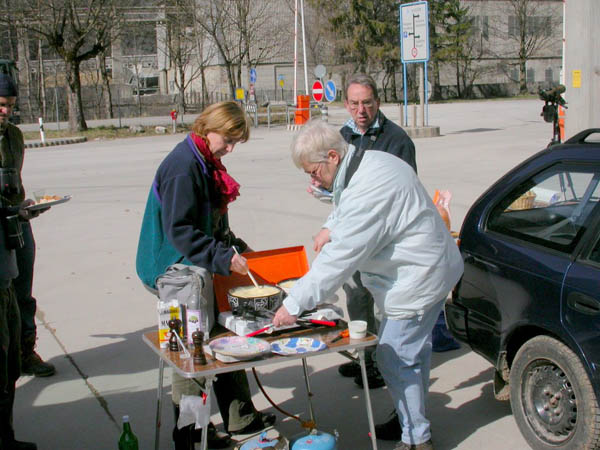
<point>314,140</point>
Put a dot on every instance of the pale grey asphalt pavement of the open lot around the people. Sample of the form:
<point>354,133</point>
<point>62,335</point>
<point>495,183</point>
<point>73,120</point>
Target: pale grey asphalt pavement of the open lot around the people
<point>93,310</point>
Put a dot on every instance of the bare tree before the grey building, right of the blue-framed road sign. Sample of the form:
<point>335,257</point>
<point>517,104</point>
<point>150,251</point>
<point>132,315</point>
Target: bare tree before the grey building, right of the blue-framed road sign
<point>529,28</point>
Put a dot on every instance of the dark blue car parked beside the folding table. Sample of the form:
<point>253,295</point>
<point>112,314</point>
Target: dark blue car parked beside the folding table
<point>529,299</point>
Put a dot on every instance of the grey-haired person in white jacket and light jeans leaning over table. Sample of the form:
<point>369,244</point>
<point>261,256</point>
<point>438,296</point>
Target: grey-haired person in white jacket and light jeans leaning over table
<point>384,225</point>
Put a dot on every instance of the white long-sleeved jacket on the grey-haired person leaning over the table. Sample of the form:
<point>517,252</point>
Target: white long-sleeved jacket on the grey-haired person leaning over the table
<point>384,225</point>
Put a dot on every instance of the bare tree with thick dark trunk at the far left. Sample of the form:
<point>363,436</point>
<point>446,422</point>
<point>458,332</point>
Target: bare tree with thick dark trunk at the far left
<point>77,30</point>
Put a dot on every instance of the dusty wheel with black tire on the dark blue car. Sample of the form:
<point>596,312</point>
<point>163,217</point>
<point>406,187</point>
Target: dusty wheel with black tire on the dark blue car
<point>551,397</point>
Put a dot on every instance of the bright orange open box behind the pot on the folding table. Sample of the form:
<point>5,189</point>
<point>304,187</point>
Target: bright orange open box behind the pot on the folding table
<point>268,267</point>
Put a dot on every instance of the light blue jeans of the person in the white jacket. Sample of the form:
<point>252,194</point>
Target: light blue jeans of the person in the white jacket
<point>404,360</point>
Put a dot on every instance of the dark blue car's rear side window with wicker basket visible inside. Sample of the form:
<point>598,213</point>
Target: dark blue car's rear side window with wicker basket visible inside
<point>551,208</point>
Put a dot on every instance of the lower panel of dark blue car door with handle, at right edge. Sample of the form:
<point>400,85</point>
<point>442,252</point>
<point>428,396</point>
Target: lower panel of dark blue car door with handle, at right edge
<point>581,306</point>
